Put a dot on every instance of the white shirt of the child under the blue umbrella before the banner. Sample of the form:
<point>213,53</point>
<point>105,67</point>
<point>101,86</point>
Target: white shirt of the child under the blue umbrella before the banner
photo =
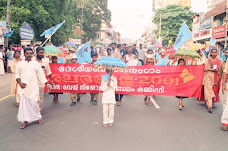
<point>109,91</point>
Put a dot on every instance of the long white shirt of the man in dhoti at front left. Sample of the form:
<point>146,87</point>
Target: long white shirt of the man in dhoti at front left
<point>30,73</point>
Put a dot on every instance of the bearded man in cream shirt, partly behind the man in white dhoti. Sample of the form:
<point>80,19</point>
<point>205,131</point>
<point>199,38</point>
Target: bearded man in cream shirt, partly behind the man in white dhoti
<point>44,63</point>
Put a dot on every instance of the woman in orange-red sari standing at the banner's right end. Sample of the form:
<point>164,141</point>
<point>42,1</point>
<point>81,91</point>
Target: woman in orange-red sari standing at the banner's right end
<point>211,87</point>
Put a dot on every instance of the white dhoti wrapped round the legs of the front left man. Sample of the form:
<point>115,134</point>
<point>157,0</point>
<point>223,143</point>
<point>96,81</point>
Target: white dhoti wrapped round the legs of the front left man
<point>28,110</point>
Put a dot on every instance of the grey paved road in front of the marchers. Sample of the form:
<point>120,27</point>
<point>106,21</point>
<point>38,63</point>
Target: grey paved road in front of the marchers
<point>137,127</point>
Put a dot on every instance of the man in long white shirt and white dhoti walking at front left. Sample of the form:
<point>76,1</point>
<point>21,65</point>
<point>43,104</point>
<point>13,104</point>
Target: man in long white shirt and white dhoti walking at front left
<point>28,74</point>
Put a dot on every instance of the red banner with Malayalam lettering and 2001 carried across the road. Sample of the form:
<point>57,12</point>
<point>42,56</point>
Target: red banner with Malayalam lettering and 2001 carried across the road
<point>139,80</point>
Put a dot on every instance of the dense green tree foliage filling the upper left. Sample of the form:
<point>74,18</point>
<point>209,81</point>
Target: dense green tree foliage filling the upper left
<point>43,14</point>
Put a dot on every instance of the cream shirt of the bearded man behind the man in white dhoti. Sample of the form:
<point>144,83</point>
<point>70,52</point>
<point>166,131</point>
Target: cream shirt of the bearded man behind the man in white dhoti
<point>44,63</point>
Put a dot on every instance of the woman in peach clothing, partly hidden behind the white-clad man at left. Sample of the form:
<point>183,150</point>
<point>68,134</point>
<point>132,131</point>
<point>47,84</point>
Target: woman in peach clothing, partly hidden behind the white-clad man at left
<point>17,55</point>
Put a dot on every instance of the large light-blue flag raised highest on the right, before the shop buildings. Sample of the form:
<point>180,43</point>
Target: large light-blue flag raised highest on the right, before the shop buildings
<point>183,36</point>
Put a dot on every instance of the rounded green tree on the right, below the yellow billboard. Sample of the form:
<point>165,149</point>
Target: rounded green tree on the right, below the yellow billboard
<point>172,18</point>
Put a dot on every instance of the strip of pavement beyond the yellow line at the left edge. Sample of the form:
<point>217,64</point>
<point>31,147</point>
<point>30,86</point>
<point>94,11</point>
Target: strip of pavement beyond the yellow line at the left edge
<point>5,84</point>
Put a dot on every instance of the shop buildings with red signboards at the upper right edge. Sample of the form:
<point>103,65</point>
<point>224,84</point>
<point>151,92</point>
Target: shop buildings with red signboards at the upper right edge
<point>212,24</point>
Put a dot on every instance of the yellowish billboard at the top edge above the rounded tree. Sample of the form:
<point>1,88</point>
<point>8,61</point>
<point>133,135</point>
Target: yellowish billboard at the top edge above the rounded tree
<point>157,4</point>
